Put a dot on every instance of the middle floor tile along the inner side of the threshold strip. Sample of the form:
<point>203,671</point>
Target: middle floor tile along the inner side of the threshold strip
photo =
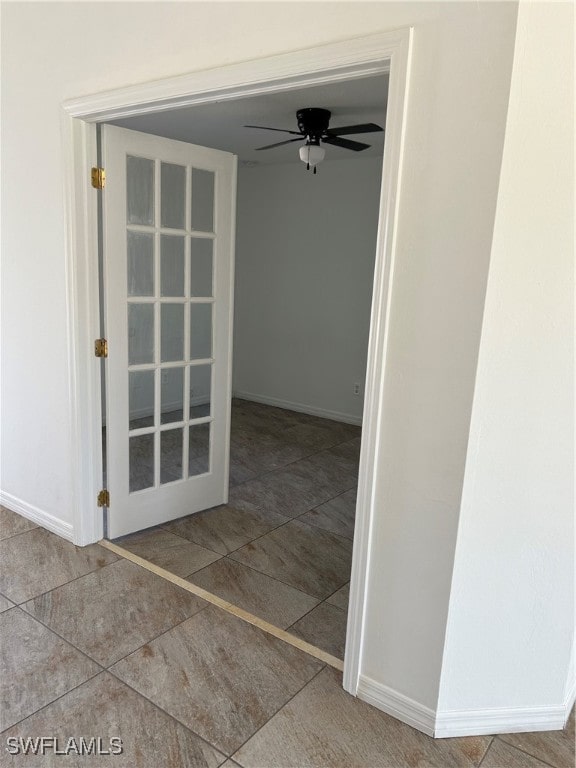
<point>261,595</point>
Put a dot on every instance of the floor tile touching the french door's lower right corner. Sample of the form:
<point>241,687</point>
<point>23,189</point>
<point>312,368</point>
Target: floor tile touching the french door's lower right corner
<point>224,529</point>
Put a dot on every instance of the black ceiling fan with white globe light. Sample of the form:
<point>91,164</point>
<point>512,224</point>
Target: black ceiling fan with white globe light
<point>313,127</point>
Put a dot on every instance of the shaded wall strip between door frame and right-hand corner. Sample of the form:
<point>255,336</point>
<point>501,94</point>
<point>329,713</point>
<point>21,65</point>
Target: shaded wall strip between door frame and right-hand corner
<point>455,131</point>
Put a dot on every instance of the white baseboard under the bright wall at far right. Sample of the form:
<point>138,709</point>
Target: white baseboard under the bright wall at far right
<point>482,722</point>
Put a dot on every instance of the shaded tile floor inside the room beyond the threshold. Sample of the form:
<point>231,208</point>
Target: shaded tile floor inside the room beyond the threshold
<point>281,548</point>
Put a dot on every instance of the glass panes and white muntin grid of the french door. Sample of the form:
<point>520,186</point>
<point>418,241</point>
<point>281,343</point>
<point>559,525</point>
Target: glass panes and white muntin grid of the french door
<point>170,321</point>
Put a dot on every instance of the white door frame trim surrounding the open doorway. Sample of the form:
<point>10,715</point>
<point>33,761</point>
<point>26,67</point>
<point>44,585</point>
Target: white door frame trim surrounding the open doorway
<point>387,52</point>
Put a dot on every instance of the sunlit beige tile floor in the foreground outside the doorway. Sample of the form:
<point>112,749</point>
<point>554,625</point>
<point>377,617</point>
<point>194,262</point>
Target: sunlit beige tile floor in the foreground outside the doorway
<point>95,646</point>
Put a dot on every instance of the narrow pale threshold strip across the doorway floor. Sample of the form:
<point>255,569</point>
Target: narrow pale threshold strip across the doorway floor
<point>219,602</point>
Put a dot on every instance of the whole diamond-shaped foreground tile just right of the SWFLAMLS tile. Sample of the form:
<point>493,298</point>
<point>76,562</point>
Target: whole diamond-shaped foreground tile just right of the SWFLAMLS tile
<point>218,675</point>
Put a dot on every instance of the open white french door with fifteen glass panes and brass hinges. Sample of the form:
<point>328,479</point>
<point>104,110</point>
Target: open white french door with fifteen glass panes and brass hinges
<point>168,239</point>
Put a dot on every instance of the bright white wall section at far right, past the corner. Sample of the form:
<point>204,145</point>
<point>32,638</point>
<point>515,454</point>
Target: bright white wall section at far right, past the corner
<point>511,621</point>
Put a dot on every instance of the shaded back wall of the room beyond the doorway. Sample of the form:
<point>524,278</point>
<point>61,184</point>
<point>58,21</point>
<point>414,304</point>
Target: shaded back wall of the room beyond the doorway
<point>305,251</point>
